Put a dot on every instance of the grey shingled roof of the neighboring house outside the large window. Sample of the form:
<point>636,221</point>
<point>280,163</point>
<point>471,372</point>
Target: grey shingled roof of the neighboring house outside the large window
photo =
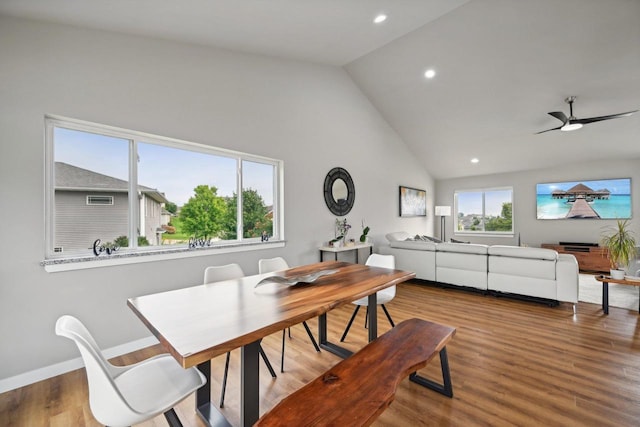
<point>74,178</point>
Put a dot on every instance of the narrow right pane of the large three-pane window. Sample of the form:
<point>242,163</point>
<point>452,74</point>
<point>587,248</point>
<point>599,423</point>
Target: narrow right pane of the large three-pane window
<point>257,199</point>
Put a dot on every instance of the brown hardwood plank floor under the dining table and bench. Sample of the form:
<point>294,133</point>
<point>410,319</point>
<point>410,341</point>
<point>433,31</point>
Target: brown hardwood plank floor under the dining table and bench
<point>512,363</point>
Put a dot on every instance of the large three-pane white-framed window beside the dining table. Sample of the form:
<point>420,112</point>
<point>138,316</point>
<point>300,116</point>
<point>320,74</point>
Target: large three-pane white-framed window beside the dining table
<point>116,190</point>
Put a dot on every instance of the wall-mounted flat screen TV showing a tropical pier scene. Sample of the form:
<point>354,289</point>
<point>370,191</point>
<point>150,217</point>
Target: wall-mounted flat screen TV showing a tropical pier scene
<point>596,199</point>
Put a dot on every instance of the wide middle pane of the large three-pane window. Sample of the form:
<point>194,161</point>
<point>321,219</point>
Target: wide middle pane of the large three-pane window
<point>186,194</point>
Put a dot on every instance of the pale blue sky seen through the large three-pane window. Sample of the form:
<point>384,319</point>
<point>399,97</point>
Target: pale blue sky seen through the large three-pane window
<point>175,172</point>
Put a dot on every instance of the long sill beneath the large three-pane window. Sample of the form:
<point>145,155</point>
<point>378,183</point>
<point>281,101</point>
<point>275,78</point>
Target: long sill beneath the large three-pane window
<point>85,262</point>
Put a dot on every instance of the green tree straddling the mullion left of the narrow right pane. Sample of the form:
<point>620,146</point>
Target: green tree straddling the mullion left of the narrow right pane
<point>255,215</point>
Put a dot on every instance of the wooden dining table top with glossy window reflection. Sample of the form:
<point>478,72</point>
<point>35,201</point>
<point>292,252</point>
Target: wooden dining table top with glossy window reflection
<point>198,323</point>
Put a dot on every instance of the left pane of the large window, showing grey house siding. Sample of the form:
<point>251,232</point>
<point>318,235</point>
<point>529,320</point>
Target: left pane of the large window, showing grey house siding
<point>89,167</point>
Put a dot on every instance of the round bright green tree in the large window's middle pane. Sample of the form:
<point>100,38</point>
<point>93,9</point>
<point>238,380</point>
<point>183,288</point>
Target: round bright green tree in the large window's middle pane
<point>204,215</point>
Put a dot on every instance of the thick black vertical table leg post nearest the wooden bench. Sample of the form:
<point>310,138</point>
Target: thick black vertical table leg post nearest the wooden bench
<point>250,384</point>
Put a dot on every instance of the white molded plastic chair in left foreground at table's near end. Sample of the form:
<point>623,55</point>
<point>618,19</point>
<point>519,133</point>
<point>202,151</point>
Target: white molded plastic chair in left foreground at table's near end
<point>127,395</point>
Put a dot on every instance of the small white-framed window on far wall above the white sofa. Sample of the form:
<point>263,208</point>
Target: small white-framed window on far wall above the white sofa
<point>484,211</point>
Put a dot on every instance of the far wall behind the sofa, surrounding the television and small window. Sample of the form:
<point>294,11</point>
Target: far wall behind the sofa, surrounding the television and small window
<point>532,231</point>
